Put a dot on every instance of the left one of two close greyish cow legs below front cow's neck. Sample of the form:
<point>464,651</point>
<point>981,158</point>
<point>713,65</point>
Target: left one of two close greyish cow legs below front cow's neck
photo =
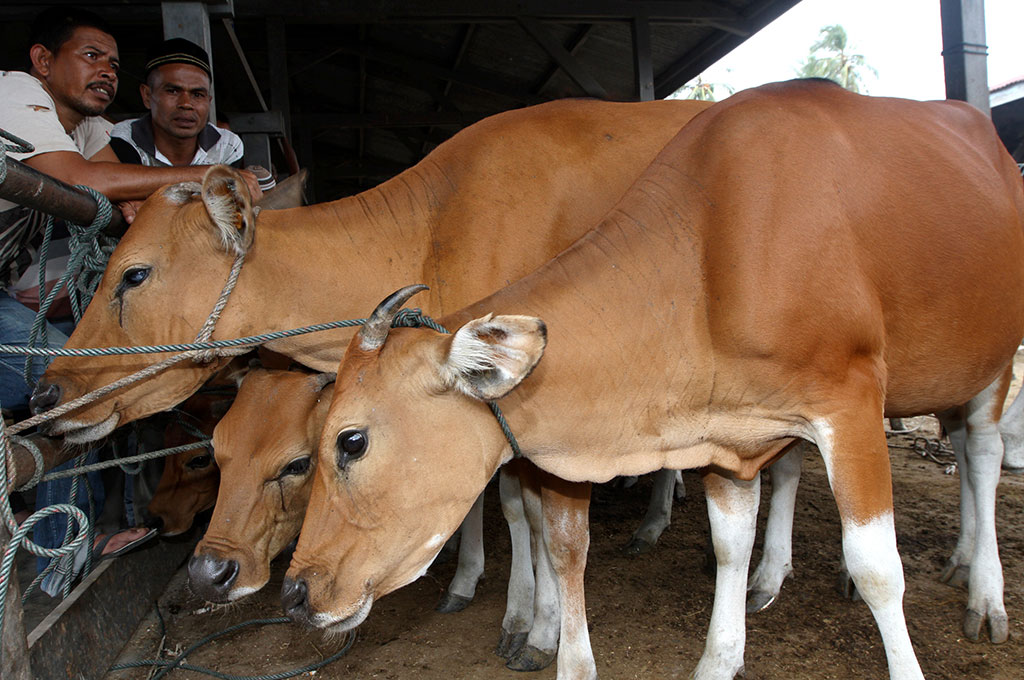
<point>520,604</point>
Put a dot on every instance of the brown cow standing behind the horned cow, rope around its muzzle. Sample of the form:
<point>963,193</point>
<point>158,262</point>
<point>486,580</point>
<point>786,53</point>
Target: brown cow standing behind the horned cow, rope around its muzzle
<point>485,208</point>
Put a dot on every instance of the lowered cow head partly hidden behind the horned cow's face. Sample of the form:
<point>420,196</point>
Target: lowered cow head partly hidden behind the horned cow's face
<point>265,448</point>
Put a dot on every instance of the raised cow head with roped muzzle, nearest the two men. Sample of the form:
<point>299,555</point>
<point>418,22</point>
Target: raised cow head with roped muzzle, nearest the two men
<point>185,238</point>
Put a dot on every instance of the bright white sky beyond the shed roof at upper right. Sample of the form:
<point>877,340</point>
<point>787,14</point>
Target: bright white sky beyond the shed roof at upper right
<point>902,39</point>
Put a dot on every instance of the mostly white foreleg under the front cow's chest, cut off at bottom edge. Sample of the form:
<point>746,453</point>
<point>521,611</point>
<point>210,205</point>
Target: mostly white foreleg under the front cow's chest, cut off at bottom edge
<point>733,509</point>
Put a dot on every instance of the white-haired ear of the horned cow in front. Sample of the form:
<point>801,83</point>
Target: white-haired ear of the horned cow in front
<point>489,357</point>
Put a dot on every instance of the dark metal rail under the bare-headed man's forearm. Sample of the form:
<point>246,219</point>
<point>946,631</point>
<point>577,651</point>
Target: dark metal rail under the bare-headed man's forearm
<point>27,187</point>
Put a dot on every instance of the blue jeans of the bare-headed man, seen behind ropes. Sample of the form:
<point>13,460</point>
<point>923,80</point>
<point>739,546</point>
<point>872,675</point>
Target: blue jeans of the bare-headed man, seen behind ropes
<point>16,326</point>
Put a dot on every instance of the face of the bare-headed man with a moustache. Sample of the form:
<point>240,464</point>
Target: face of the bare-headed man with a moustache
<point>83,74</point>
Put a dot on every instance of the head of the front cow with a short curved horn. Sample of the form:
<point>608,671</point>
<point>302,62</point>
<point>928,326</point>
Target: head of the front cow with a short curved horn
<point>408,446</point>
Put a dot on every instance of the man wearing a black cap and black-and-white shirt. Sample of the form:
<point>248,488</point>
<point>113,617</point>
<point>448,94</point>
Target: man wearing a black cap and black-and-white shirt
<point>177,132</point>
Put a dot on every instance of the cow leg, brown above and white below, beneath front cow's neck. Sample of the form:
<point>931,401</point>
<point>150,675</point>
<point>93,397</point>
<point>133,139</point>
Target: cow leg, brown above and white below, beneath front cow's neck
<point>567,536</point>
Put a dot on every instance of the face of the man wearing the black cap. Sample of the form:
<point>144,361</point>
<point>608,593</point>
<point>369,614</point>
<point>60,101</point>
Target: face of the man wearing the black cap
<point>179,99</point>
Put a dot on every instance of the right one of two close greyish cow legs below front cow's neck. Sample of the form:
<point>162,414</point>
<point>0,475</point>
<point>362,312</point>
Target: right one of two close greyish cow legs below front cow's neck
<point>542,644</point>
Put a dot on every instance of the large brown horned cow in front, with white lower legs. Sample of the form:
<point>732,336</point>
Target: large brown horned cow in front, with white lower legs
<point>798,264</point>
